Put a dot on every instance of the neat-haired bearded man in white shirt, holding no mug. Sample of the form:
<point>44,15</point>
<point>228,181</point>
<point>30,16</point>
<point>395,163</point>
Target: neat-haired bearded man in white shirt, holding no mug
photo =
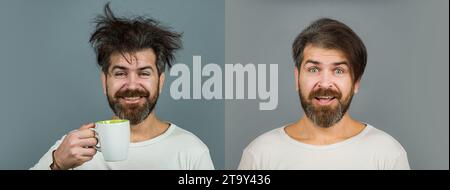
<point>329,62</point>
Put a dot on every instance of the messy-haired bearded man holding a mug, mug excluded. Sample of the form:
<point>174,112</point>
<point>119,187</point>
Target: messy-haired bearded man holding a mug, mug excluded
<point>132,54</point>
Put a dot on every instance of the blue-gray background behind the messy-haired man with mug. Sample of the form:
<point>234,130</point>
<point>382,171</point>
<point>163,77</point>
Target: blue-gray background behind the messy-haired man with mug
<point>50,83</point>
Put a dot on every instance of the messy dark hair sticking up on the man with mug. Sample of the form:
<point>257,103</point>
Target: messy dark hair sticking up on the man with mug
<point>129,35</point>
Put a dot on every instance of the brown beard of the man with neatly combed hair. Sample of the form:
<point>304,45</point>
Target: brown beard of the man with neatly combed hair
<point>325,116</point>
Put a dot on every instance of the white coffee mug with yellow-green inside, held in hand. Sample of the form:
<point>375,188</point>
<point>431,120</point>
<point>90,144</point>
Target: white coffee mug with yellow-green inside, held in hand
<point>113,139</point>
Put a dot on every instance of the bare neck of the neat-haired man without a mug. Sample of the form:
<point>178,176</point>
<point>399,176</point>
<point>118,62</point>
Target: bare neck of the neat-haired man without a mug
<point>306,131</point>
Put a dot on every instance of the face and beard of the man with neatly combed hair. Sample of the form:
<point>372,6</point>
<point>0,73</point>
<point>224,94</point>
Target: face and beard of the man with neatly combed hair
<point>325,85</point>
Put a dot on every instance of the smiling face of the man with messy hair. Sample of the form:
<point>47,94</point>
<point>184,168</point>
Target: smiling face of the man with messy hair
<point>132,85</point>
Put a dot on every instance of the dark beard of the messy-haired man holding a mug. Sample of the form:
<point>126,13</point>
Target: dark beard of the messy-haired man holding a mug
<point>135,113</point>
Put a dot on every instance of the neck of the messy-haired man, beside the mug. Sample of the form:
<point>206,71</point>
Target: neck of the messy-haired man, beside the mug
<point>150,128</point>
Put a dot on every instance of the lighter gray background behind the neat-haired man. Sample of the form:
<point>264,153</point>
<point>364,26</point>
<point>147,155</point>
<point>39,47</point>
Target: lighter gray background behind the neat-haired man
<point>404,90</point>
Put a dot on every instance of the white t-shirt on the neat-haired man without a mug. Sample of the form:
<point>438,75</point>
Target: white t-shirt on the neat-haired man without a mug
<point>371,149</point>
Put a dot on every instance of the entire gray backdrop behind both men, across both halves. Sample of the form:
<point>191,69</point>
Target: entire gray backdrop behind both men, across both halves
<point>50,84</point>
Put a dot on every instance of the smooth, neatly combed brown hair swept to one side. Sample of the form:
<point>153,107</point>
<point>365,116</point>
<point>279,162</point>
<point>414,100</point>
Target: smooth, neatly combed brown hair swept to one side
<point>332,34</point>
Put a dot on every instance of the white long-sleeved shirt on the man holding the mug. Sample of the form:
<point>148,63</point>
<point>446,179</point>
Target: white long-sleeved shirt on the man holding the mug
<point>175,149</point>
